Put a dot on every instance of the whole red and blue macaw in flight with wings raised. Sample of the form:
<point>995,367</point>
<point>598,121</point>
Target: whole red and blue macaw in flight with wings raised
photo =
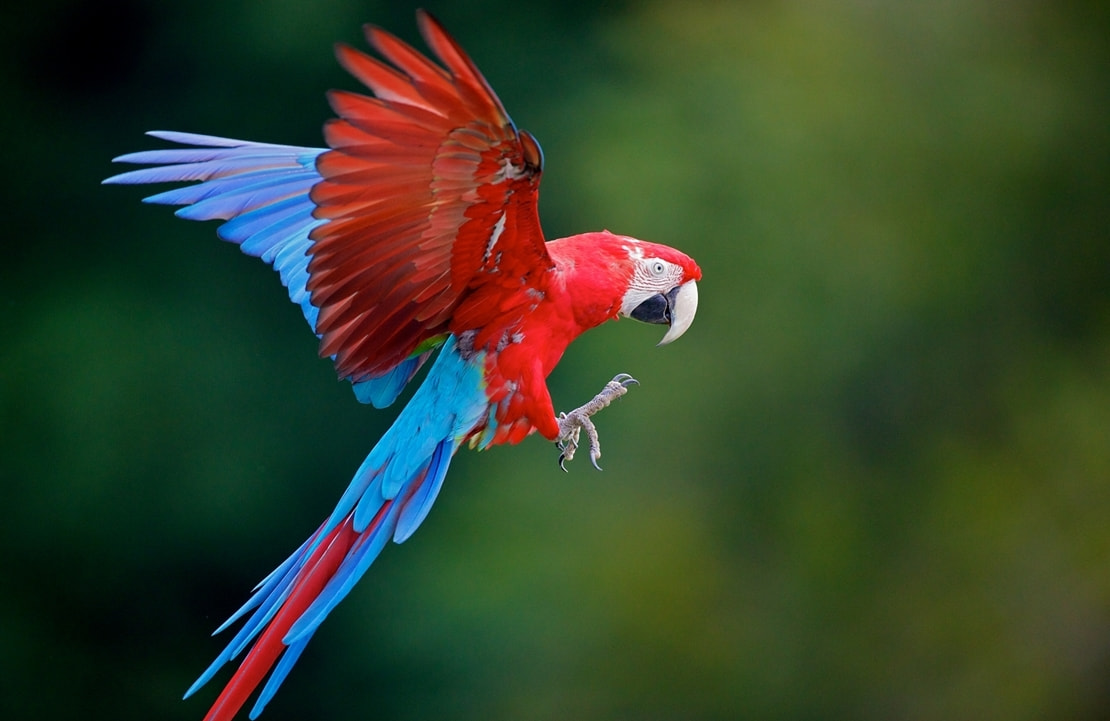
<point>416,231</point>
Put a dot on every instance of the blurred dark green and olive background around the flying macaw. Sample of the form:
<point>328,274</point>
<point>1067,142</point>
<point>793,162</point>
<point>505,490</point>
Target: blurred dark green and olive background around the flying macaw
<point>873,482</point>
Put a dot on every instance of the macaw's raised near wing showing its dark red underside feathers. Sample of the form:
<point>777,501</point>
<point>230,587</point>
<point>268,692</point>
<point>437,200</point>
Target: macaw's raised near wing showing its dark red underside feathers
<point>430,195</point>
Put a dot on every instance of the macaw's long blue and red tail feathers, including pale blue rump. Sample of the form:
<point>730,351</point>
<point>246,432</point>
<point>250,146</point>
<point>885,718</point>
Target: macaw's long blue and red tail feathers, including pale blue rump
<point>390,496</point>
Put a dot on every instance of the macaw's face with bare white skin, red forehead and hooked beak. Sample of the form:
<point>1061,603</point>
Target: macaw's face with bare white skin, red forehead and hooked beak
<point>663,288</point>
